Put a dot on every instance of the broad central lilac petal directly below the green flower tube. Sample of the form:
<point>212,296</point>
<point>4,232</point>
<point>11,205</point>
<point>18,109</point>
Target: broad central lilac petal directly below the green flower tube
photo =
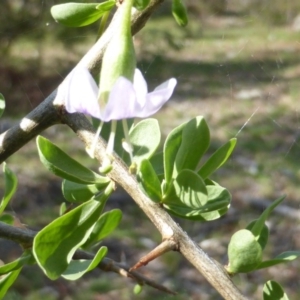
<point>122,102</point>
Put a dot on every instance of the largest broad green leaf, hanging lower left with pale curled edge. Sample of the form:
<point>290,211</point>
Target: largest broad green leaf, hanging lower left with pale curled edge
<point>54,245</point>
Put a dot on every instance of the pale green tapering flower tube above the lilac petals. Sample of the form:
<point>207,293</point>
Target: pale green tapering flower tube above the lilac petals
<point>119,57</point>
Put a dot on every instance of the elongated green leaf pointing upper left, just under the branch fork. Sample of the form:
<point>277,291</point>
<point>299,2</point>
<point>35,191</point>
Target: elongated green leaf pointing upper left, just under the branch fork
<point>62,165</point>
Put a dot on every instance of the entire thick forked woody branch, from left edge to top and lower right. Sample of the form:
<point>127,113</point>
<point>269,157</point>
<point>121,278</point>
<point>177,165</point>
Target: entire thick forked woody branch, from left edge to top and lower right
<point>51,111</point>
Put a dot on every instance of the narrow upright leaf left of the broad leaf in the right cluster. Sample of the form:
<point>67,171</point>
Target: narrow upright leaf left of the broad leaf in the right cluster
<point>171,147</point>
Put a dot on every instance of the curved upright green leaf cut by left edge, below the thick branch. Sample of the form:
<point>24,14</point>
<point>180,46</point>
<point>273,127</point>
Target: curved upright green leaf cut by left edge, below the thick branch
<point>11,182</point>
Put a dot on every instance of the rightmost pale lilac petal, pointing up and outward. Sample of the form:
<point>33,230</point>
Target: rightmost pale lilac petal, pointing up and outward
<point>156,99</point>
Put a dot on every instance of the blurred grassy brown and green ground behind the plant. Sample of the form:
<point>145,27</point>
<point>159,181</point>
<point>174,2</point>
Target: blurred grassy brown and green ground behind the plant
<point>237,64</point>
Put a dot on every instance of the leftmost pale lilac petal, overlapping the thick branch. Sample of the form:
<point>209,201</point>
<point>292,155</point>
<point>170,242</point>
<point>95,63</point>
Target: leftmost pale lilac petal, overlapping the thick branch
<point>82,93</point>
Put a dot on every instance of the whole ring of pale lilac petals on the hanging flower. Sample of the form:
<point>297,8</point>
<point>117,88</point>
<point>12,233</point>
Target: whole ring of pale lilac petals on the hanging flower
<point>126,99</point>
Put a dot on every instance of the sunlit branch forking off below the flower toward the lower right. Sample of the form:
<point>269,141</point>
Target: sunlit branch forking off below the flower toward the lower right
<point>211,270</point>
